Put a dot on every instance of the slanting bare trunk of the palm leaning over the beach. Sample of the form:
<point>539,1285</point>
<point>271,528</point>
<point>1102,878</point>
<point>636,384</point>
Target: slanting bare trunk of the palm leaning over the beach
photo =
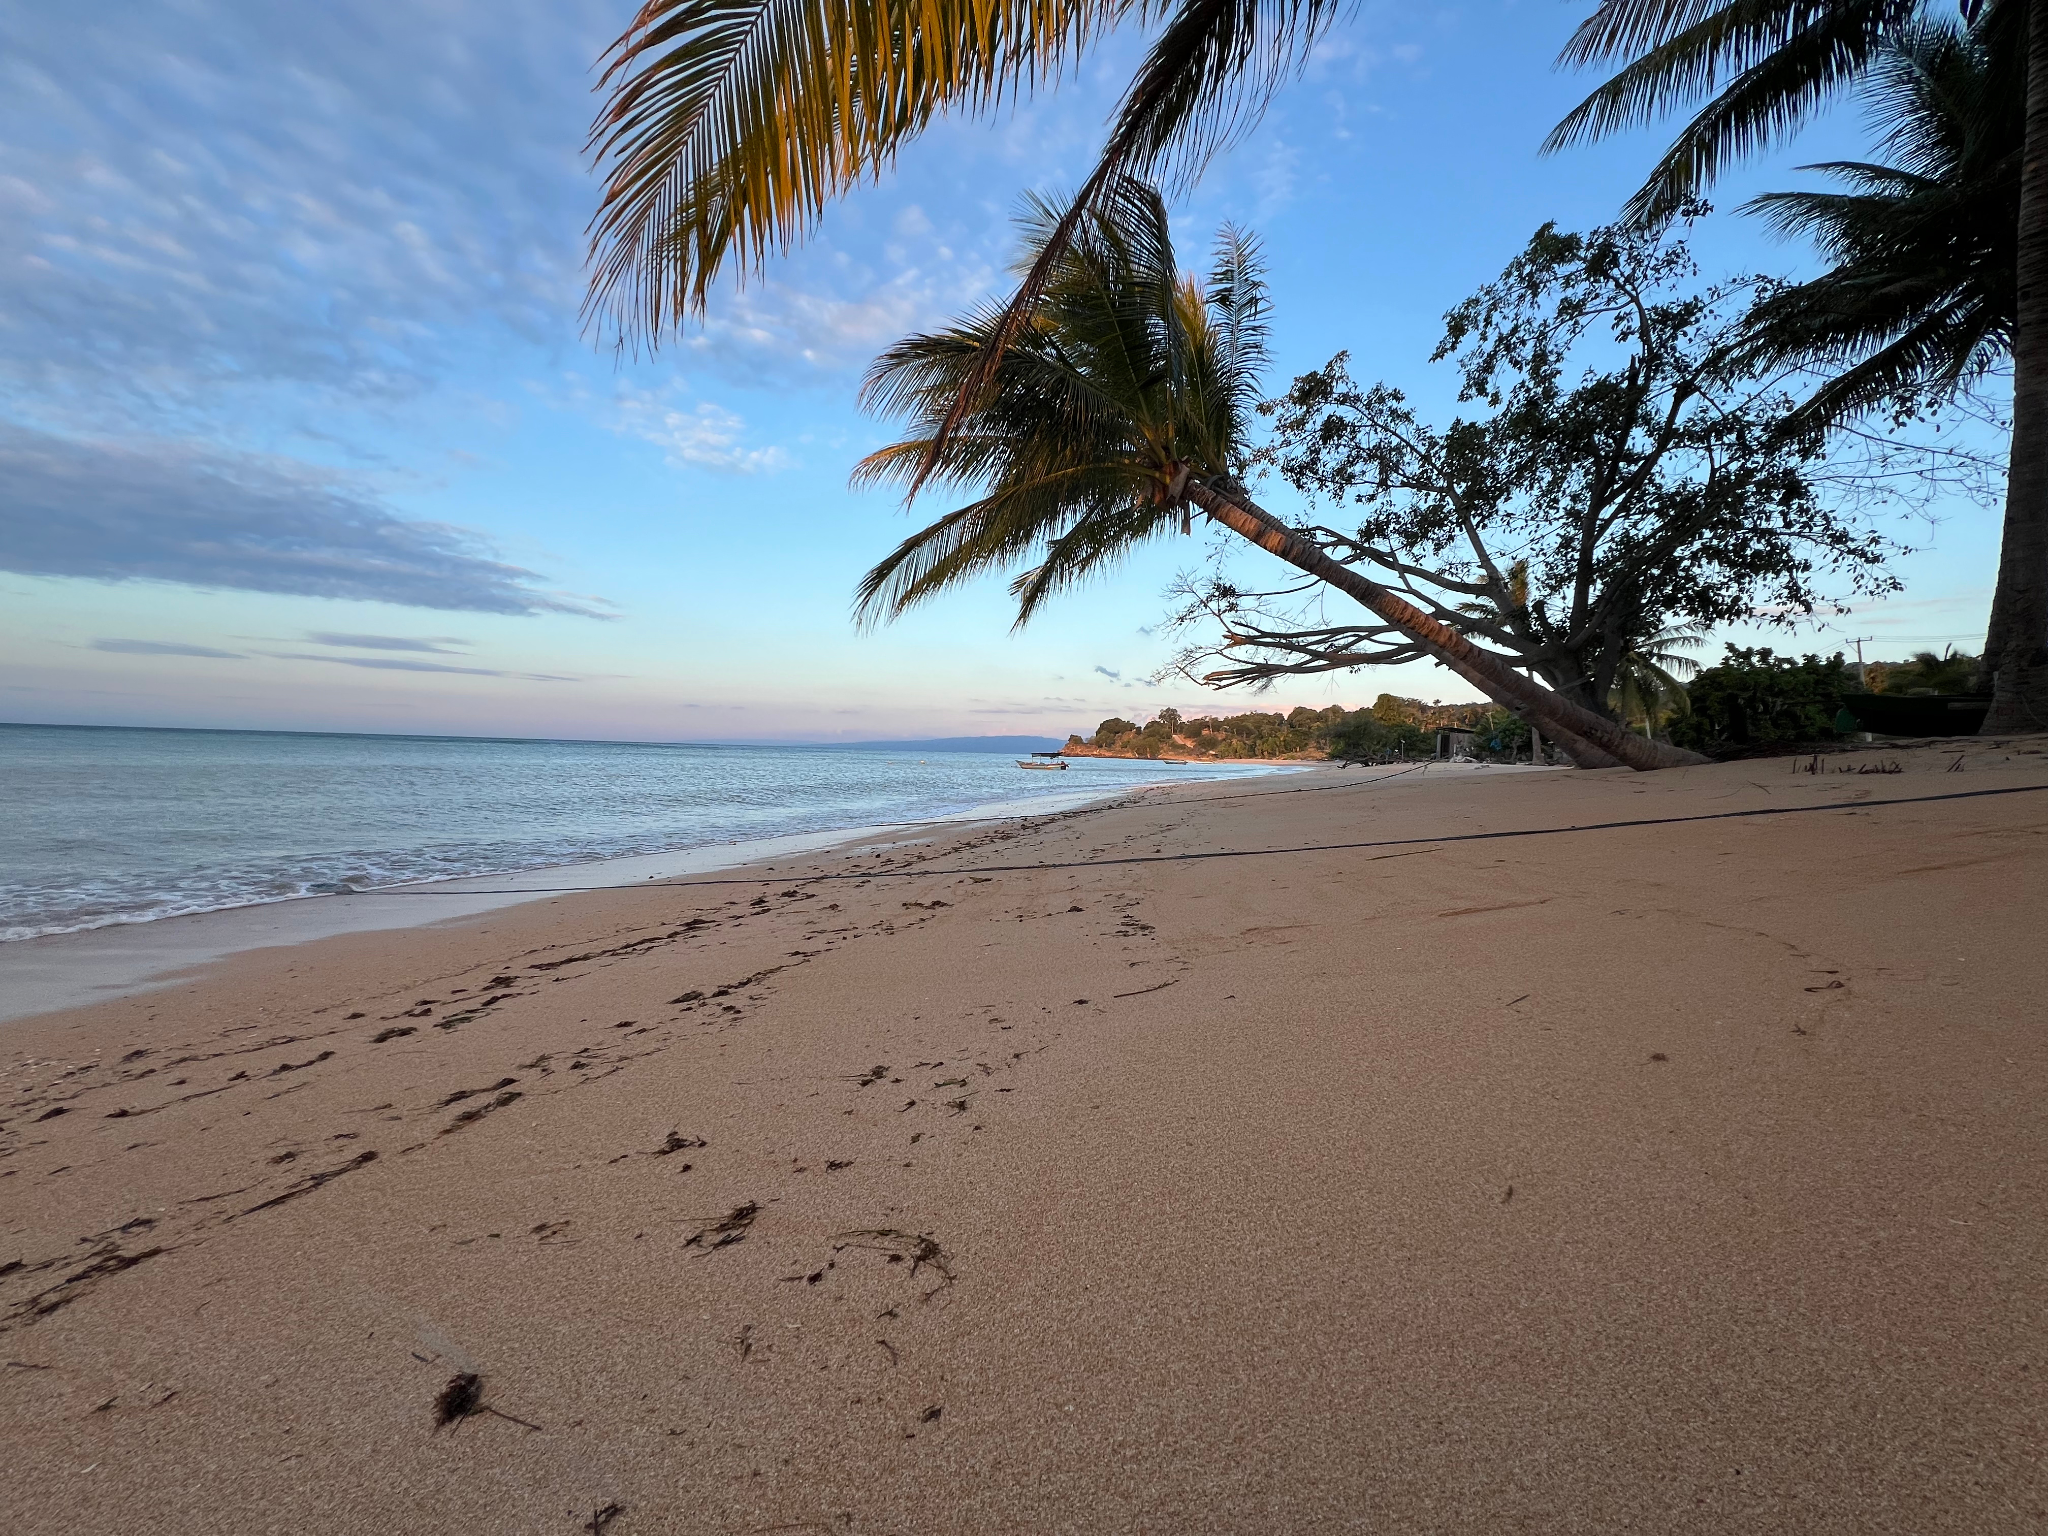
<point>1588,738</point>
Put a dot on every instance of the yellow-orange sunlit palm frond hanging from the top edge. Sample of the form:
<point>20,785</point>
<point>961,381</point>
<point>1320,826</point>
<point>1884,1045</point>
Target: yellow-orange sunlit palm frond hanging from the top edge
<point>732,124</point>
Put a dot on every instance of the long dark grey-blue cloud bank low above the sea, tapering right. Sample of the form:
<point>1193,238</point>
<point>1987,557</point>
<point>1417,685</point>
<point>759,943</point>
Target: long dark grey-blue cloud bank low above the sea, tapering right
<point>214,519</point>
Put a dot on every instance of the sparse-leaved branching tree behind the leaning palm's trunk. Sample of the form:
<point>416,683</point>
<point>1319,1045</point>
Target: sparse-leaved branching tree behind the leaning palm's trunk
<point>1613,480</point>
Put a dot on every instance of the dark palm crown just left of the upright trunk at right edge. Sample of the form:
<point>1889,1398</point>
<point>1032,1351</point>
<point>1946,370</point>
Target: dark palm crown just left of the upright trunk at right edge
<point>1922,288</point>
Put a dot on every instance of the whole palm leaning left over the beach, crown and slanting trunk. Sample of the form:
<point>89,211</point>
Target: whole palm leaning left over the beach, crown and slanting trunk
<point>1117,411</point>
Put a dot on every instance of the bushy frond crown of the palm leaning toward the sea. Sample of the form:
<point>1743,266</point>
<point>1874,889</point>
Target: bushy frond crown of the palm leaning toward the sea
<point>1123,376</point>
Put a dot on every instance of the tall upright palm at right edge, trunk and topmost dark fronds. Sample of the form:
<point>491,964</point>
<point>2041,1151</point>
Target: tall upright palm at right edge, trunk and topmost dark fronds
<point>1766,69</point>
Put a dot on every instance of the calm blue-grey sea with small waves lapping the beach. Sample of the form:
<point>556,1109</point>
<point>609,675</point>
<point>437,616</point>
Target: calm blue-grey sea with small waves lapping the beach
<point>116,826</point>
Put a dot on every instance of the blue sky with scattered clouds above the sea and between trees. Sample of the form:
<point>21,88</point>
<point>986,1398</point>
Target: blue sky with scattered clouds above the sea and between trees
<point>298,425</point>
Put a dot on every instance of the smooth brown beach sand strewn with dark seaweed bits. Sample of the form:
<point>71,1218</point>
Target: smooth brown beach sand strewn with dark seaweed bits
<point>1662,1179</point>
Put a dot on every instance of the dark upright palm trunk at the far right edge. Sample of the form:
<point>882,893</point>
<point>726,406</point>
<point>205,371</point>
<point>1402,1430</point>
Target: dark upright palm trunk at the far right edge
<point>2016,646</point>
